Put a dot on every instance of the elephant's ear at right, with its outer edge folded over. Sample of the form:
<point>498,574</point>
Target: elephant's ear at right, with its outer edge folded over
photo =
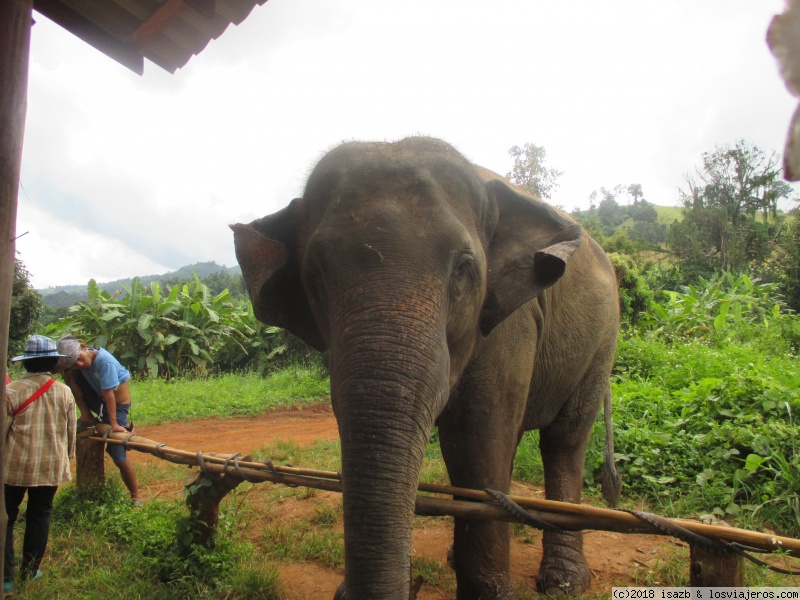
<point>528,251</point>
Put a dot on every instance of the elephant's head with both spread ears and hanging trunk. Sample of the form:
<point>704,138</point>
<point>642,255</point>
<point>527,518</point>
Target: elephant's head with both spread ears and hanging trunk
<point>398,260</point>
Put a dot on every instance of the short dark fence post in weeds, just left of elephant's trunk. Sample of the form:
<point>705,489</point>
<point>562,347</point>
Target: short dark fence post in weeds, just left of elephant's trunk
<point>205,491</point>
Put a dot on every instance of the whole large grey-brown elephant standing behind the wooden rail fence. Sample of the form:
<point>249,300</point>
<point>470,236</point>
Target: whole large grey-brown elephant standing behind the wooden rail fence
<point>444,296</point>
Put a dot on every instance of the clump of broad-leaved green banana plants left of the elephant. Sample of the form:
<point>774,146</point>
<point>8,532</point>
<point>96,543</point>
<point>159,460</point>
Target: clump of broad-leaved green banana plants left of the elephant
<point>162,333</point>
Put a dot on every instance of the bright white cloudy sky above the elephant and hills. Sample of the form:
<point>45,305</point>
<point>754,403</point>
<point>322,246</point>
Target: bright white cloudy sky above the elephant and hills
<point>126,175</point>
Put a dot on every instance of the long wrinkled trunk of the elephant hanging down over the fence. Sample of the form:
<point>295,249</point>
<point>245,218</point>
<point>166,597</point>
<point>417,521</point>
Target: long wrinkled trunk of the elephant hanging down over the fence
<point>388,382</point>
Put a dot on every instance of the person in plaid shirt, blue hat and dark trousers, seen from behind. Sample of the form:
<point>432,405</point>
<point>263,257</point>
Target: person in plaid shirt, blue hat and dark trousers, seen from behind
<point>40,442</point>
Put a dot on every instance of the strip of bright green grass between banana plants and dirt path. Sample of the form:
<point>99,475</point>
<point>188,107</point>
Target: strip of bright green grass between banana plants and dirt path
<point>230,395</point>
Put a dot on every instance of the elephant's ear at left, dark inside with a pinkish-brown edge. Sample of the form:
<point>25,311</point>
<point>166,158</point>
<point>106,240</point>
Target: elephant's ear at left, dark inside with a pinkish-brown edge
<point>268,252</point>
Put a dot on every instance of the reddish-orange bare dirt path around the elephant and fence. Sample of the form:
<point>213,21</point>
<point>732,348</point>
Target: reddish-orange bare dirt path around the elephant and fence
<point>614,559</point>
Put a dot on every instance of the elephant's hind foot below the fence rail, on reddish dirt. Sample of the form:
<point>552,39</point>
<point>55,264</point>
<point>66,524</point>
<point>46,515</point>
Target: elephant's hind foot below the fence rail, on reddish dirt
<point>564,570</point>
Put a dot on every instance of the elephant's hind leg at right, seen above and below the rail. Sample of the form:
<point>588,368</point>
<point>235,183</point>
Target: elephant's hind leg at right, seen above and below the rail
<point>564,570</point>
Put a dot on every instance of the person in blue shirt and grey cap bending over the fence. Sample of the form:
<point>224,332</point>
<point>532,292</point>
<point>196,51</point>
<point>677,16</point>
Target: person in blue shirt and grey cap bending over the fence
<point>100,386</point>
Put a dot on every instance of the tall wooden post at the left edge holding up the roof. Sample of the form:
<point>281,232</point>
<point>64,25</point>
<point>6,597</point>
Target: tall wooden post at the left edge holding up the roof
<point>15,43</point>
